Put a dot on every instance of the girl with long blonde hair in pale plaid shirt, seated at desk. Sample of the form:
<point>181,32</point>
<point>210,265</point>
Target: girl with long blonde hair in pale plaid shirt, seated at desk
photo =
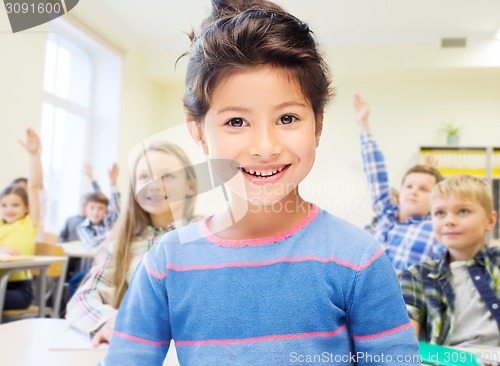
<point>162,197</point>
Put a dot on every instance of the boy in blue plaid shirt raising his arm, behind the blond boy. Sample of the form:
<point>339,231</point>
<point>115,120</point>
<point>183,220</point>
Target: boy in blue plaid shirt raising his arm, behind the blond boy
<point>403,228</point>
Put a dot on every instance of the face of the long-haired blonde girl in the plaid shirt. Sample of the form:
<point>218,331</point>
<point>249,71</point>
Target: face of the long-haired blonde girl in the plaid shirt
<point>161,184</point>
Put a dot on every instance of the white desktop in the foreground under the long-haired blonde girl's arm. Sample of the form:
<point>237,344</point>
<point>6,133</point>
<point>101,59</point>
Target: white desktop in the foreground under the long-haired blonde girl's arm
<point>31,342</point>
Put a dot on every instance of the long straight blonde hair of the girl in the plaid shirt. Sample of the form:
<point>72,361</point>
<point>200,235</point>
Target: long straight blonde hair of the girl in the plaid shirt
<point>134,220</point>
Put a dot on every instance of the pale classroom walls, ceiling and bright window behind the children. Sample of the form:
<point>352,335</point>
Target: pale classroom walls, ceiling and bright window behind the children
<point>126,84</point>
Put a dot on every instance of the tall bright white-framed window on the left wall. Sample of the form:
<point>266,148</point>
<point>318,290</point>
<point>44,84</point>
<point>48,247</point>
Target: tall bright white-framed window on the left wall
<point>81,89</point>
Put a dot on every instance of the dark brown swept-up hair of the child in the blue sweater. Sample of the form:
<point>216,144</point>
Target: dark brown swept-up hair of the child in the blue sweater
<point>240,35</point>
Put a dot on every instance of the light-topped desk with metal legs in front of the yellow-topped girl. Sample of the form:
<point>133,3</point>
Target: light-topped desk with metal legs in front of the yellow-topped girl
<point>36,262</point>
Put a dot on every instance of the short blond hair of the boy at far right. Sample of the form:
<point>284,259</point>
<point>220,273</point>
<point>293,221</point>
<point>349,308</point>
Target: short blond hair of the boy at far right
<point>466,187</point>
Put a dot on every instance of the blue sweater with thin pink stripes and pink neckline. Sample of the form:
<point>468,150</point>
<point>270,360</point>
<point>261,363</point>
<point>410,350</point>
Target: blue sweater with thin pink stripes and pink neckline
<point>322,289</point>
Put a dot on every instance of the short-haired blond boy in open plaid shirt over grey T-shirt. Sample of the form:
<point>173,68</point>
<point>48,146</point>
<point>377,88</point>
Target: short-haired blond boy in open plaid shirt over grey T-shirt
<point>455,300</point>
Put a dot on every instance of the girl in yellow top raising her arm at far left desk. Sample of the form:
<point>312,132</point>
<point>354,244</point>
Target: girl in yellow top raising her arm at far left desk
<point>20,222</point>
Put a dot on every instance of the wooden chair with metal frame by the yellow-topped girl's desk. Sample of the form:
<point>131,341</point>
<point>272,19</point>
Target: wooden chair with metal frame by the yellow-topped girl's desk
<point>54,287</point>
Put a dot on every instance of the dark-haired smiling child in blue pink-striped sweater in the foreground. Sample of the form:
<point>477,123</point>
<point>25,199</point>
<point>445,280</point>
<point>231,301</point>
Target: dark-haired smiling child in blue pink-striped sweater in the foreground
<point>273,279</point>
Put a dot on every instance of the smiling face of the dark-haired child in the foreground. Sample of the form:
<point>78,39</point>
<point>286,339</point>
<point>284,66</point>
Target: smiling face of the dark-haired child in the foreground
<point>260,119</point>
